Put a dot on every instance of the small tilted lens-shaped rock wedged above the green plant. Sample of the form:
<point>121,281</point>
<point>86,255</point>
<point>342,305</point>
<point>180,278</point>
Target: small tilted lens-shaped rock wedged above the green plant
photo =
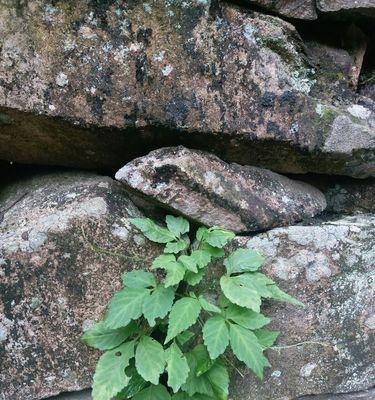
<point>209,191</point>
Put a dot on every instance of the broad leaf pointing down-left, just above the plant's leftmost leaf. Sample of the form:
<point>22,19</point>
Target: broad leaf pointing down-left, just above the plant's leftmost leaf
<point>125,306</point>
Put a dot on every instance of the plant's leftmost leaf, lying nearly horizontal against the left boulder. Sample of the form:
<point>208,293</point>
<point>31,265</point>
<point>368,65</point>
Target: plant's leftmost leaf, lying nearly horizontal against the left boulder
<point>102,338</point>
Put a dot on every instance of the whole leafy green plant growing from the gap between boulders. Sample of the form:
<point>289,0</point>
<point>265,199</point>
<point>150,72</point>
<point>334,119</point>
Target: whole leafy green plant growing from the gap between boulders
<point>164,340</point>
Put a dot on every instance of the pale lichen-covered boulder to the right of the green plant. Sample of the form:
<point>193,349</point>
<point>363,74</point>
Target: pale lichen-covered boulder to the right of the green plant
<point>328,347</point>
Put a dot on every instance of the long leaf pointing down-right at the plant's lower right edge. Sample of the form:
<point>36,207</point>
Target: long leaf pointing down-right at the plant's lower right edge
<point>246,348</point>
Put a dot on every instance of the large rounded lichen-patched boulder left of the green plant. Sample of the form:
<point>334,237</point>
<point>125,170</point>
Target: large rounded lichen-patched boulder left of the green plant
<point>63,247</point>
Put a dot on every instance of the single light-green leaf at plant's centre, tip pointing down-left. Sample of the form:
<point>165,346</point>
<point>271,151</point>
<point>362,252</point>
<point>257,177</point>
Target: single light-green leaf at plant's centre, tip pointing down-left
<point>184,314</point>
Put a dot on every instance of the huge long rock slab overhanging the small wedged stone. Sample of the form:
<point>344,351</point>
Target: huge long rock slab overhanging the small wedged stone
<point>199,73</point>
